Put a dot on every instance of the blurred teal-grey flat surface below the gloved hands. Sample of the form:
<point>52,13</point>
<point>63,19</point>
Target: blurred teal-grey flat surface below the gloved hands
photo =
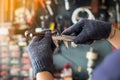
<point>77,56</point>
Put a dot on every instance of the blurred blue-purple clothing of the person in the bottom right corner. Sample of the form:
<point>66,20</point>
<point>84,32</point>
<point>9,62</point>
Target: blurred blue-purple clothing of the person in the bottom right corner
<point>109,68</point>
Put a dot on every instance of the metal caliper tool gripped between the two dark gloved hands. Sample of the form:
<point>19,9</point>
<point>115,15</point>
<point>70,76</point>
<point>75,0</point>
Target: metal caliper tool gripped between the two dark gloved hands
<point>56,38</point>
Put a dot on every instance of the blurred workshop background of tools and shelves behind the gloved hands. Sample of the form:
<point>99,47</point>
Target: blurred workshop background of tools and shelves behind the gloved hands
<point>19,16</point>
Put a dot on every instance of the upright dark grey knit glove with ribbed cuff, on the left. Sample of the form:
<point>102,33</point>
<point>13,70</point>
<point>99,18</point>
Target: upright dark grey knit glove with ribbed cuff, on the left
<point>41,51</point>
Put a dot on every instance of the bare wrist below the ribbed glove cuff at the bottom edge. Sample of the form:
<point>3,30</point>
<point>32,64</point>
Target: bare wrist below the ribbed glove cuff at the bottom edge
<point>45,75</point>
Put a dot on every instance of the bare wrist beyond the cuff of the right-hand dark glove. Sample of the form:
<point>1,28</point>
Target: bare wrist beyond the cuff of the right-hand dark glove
<point>115,38</point>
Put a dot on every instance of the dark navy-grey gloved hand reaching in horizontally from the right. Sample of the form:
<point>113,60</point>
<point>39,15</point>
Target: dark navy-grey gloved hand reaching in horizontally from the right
<point>88,30</point>
